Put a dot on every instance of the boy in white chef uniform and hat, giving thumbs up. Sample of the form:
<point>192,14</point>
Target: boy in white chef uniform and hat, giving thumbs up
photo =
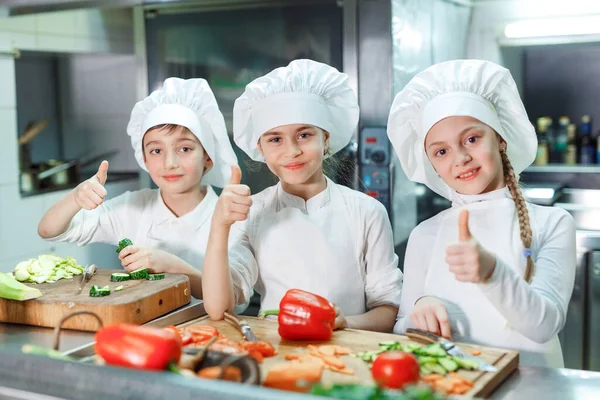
<point>179,136</point>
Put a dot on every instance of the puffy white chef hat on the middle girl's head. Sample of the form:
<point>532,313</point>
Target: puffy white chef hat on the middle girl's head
<point>304,92</point>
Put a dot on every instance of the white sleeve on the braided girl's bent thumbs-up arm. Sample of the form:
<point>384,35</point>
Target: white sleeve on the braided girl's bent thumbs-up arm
<point>538,310</point>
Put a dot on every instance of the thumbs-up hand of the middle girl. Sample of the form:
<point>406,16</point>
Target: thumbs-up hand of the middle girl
<point>235,201</point>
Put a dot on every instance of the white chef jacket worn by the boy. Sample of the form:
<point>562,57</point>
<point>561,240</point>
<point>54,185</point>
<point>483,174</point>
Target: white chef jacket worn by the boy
<point>143,217</point>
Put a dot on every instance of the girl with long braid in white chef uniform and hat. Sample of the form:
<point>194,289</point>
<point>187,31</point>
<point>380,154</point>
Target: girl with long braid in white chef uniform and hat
<point>493,269</point>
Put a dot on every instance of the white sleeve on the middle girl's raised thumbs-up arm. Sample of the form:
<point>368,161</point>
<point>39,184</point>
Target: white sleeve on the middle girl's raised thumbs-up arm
<point>243,265</point>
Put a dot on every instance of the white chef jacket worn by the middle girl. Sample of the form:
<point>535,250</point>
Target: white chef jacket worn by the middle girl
<point>338,244</point>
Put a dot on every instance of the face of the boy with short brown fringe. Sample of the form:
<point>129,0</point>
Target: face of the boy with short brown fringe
<point>175,158</point>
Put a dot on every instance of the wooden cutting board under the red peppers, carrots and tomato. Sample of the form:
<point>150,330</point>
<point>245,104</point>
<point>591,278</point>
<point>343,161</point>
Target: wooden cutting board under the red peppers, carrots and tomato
<point>485,382</point>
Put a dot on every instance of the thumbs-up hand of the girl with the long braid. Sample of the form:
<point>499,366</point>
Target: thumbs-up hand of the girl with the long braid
<point>467,259</point>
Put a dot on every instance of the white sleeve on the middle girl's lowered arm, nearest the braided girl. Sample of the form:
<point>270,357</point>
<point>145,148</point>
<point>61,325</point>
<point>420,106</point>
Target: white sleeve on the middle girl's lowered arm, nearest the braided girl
<point>383,277</point>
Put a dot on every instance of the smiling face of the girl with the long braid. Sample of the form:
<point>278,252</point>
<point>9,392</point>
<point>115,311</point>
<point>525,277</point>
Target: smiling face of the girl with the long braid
<point>465,153</point>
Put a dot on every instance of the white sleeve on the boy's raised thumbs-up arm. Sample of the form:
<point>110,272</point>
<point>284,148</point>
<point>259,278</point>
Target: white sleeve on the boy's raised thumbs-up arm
<point>103,224</point>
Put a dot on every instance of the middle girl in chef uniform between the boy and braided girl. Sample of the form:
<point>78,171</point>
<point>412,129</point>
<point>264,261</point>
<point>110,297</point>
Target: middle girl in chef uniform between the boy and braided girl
<point>305,232</point>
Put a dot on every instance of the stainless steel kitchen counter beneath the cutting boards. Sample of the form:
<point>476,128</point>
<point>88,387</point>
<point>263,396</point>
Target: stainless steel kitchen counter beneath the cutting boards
<point>53,377</point>
